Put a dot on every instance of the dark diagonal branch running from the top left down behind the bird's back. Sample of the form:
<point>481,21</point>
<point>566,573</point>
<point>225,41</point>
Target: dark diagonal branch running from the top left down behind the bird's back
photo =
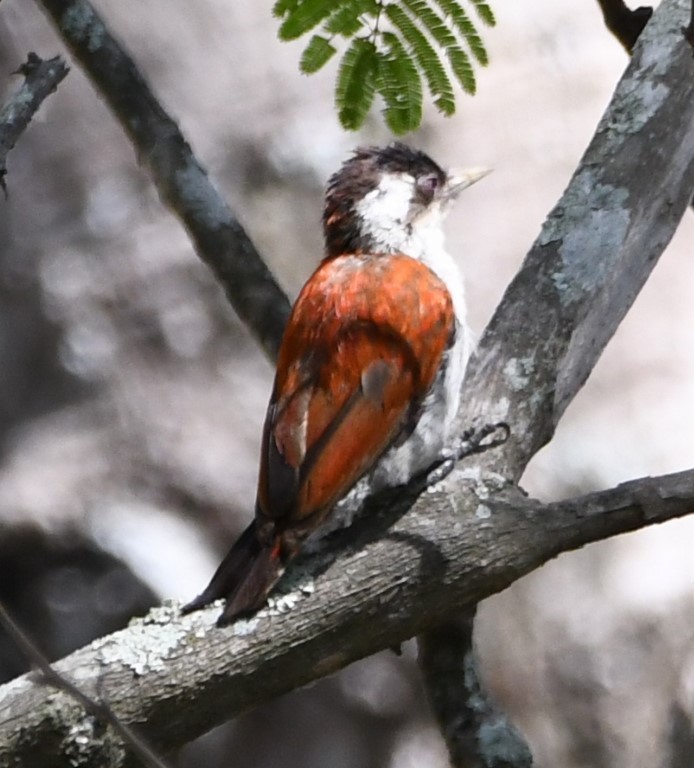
<point>182,183</point>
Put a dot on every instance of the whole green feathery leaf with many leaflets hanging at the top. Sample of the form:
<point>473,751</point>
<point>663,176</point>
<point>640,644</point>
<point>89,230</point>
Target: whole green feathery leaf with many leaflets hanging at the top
<point>431,40</point>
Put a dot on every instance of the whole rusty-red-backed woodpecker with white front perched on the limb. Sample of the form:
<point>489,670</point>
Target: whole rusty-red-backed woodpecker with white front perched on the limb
<point>370,366</point>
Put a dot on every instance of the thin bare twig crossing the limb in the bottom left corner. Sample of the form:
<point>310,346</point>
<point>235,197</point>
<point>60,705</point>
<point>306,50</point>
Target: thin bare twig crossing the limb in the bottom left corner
<point>99,711</point>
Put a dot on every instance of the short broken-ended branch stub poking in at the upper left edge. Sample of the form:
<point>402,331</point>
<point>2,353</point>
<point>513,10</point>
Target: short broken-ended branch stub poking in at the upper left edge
<point>41,78</point>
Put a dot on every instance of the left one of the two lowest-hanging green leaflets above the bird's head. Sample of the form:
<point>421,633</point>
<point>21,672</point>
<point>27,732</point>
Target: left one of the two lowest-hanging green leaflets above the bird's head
<point>356,86</point>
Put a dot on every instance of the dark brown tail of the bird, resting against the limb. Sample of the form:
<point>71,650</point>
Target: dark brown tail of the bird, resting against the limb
<point>244,578</point>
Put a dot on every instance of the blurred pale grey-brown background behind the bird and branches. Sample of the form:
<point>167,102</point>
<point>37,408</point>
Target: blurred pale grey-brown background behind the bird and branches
<point>131,398</point>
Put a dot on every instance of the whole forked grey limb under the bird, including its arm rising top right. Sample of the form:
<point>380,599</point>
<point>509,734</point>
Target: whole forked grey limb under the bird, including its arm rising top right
<point>405,570</point>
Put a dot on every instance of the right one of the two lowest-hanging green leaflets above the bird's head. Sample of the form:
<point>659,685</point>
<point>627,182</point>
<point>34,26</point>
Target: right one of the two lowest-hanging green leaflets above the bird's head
<point>400,85</point>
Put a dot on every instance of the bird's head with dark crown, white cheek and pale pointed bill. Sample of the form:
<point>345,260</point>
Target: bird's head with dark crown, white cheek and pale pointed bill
<point>389,199</point>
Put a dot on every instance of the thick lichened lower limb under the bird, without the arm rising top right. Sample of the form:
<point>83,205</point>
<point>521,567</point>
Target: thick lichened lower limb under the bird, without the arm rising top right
<point>174,677</point>
